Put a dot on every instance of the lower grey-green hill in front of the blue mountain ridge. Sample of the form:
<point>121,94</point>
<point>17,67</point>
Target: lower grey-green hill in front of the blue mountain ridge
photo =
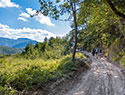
<point>9,51</point>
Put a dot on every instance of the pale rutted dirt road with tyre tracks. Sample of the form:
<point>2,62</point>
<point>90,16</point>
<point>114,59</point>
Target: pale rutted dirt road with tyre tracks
<point>103,78</point>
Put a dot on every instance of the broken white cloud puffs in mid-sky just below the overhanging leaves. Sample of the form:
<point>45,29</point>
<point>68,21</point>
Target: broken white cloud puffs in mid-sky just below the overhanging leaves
<point>39,17</point>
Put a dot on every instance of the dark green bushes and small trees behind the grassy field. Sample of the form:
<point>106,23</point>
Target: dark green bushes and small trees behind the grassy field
<point>54,48</point>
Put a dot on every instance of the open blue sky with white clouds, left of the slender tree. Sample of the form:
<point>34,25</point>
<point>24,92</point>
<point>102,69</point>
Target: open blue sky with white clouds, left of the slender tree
<point>15,21</point>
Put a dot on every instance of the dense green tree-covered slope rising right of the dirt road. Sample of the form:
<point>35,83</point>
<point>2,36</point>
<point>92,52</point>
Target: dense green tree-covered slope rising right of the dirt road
<point>102,28</point>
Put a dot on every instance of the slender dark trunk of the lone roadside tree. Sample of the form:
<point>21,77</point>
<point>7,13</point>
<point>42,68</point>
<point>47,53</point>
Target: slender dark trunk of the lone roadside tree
<point>75,46</point>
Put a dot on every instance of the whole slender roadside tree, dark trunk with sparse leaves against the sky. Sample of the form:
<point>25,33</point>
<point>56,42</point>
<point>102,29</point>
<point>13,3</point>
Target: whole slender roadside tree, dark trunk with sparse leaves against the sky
<point>57,8</point>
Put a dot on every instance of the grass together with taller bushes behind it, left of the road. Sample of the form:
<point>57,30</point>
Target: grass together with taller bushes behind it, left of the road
<point>37,66</point>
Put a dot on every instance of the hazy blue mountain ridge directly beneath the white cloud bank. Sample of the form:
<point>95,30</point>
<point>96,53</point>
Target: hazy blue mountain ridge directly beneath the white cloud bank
<point>16,43</point>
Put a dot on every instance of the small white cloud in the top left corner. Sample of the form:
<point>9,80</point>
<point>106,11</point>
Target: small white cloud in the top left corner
<point>8,3</point>
